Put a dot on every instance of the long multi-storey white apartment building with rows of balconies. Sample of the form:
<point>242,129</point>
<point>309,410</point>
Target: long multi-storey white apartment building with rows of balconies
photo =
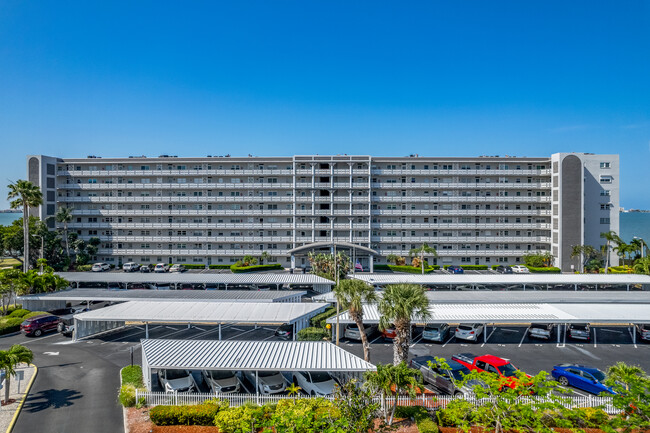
<point>215,210</point>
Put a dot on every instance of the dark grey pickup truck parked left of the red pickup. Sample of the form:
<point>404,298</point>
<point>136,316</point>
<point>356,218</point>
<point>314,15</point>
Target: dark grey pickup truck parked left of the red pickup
<point>444,379</point>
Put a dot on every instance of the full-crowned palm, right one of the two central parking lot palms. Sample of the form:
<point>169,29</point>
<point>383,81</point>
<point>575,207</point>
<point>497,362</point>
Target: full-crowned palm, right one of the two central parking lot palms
<point>399,304</point>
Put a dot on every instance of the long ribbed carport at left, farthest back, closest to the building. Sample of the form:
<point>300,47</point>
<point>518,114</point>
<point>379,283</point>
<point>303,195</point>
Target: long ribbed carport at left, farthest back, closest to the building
<point>254,280</point>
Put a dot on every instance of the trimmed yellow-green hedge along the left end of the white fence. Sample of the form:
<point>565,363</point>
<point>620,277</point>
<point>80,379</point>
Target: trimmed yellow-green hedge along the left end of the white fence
<point>198,414</point>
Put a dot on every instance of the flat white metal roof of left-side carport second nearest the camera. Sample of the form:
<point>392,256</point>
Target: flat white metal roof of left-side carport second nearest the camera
<point>203,312</point>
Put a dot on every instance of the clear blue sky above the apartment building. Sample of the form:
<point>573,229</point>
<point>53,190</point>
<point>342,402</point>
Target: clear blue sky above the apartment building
<point>282,78</point>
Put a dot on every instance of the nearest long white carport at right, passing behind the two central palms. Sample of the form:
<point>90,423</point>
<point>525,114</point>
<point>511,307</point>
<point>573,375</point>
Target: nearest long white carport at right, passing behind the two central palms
<point>559,314</point>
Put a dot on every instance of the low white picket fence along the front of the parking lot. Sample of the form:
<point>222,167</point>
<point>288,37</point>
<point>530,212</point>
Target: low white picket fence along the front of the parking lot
<point>425,400</point>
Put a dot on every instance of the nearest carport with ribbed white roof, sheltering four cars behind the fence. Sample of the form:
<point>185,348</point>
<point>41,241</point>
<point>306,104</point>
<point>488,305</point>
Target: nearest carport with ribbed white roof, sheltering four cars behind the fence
<point>281,356</point>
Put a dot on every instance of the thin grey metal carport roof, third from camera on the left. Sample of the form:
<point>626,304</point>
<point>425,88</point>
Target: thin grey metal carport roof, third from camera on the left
<point>167,295</point>
